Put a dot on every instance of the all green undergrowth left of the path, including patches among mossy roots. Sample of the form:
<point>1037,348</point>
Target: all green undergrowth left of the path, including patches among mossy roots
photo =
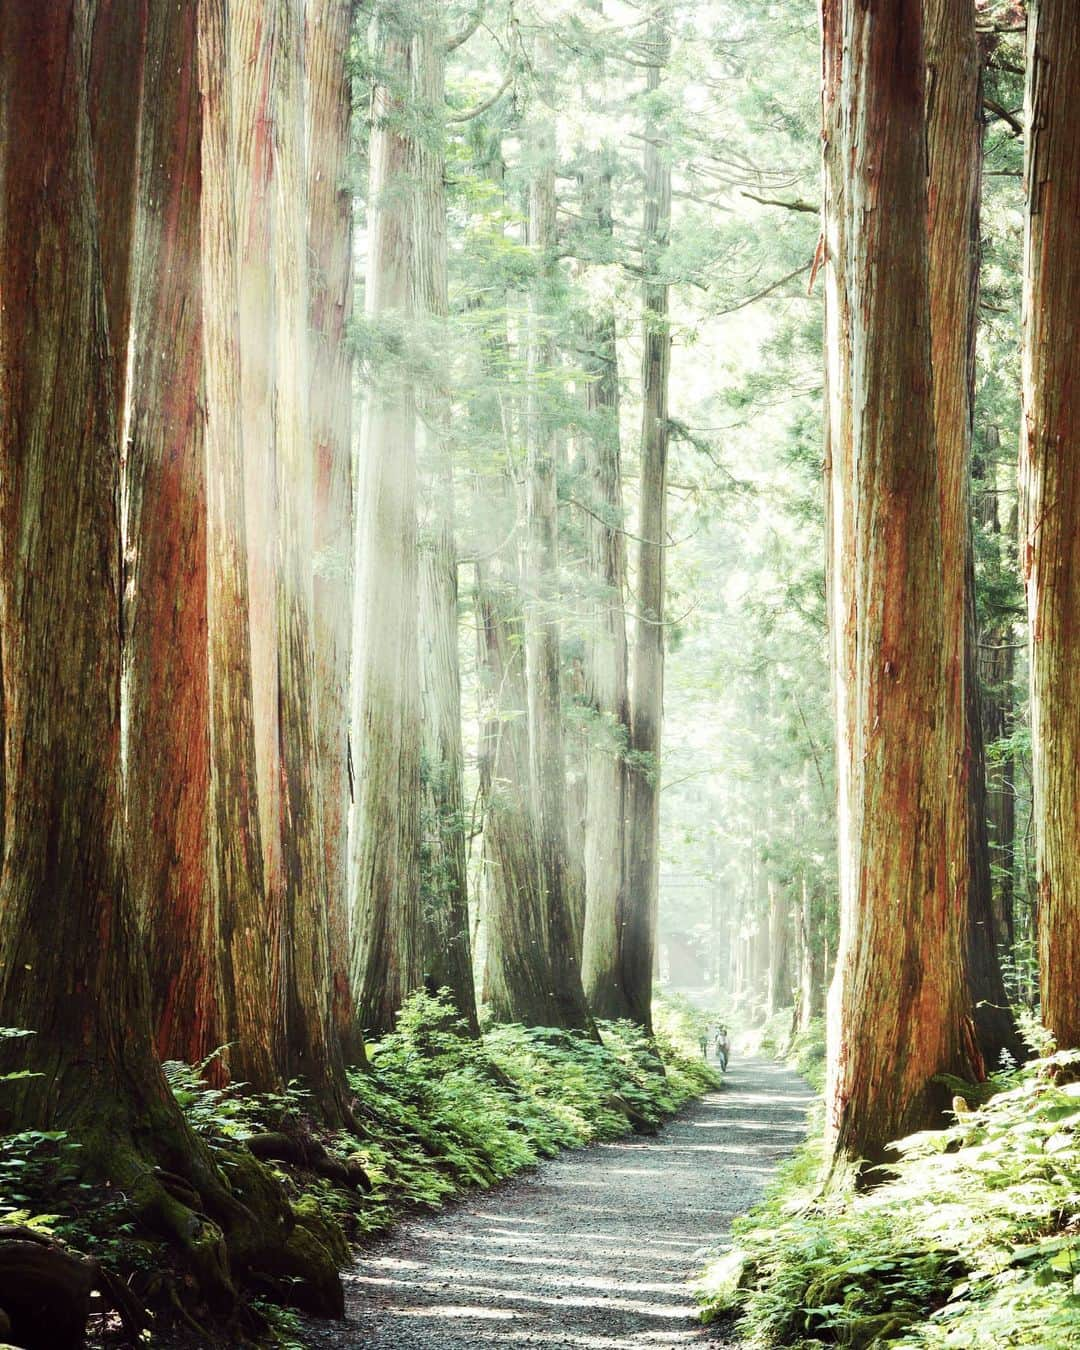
<point>437,1114</point>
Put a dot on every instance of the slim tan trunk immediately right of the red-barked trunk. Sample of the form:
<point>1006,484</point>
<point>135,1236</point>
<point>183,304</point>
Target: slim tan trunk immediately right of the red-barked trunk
<point>249,929</point>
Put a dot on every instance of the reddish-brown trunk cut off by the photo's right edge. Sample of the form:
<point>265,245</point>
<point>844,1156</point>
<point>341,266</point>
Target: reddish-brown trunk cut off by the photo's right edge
<point>1051,492</point>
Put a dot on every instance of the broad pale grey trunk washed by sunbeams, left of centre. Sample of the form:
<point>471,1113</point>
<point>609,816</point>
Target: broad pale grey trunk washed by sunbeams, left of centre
<point>387,691</point>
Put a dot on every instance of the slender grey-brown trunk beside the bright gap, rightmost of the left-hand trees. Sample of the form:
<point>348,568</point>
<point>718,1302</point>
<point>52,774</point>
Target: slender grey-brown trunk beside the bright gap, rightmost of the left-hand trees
<point>638,934</point>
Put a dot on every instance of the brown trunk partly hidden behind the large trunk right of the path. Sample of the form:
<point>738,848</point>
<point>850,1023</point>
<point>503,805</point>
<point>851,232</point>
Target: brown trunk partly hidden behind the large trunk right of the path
<point>955,133</point>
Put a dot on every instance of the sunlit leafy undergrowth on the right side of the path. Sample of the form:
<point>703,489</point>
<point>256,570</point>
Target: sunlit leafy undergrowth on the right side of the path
<point>973,1244</point>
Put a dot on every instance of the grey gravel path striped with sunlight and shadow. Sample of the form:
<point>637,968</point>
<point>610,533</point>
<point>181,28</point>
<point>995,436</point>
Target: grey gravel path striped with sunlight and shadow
<point>593,1251</point>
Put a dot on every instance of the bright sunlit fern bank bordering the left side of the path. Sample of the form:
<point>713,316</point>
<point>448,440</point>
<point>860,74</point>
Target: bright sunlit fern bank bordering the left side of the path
<point>441,1113</point>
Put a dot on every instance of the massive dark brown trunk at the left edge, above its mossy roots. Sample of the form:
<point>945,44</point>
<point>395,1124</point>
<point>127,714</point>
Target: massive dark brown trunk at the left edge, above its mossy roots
<point>71,961</point>
